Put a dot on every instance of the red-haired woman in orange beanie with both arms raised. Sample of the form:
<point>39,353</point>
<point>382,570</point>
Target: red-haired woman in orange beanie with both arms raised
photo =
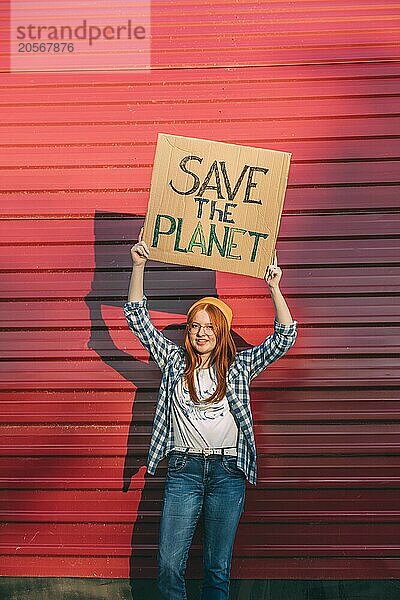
<point>203,424</point>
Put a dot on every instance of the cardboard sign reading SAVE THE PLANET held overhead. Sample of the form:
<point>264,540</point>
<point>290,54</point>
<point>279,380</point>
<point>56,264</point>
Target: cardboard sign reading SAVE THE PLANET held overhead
<point>215,205</point>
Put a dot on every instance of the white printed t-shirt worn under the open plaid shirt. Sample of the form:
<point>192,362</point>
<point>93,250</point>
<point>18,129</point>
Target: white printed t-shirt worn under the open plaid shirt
<point>205,425</point>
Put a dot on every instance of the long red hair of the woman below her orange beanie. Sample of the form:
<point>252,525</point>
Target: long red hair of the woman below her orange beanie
<point>222,355</point>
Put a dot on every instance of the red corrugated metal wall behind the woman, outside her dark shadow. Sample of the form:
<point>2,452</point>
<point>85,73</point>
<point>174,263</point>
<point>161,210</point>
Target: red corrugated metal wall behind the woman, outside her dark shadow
<point>315,78</point>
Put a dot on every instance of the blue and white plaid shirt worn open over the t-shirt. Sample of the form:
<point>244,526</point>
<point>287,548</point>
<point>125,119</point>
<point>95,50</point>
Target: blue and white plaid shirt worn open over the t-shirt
<point>171,360</point>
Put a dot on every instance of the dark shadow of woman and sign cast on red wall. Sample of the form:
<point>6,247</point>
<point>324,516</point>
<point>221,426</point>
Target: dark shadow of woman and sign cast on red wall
<point>114,234</point>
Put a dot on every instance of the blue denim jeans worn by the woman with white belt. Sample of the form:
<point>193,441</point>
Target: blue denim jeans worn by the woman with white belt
<point>195,483</point>
